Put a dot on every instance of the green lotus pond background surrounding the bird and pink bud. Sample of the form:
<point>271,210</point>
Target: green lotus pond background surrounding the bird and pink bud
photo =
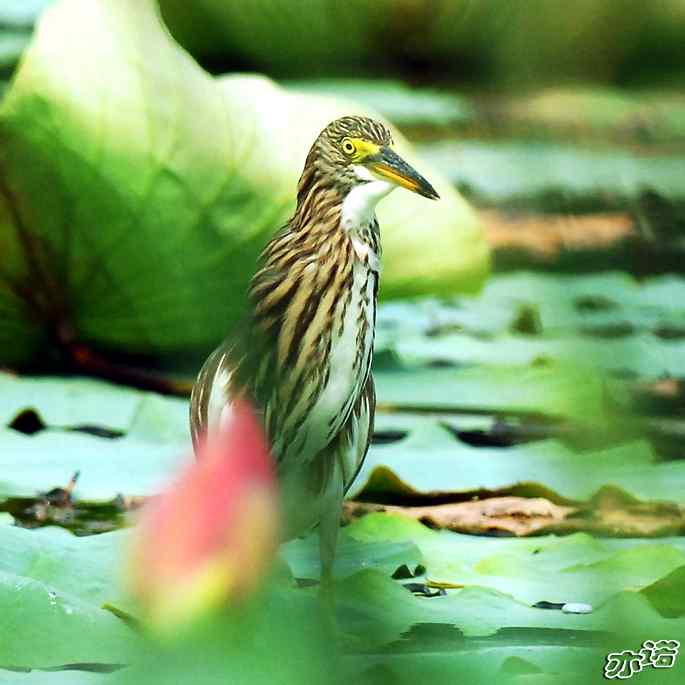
<point>530,357</point>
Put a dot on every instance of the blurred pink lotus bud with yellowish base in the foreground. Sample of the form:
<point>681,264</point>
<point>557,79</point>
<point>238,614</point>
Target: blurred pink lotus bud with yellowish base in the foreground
<point>210,538</point>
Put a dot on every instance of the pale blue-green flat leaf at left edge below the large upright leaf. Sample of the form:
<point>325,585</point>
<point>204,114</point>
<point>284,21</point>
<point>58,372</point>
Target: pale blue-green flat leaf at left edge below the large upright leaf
<point>154,438</point>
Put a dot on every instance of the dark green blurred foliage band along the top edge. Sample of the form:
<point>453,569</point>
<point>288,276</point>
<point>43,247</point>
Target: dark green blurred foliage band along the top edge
<point>488,45</point>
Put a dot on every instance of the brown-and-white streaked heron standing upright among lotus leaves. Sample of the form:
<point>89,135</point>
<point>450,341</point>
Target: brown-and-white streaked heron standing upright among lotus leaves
<point>303,356</point>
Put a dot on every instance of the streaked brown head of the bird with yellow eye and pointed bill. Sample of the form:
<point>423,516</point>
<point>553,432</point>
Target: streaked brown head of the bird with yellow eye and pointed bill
<point>357,151</point>
